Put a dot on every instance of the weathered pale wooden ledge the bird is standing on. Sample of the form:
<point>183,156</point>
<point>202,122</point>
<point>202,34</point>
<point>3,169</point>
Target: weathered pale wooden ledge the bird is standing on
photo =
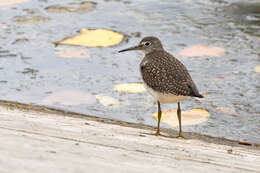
<point>44,140</point>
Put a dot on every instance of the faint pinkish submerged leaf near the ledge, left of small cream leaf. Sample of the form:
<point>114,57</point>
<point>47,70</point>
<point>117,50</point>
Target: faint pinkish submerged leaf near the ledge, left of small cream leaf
<point>69,97</point>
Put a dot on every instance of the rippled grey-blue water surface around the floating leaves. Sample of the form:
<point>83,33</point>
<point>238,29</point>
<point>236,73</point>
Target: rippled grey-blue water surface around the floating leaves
<point>30,69</point>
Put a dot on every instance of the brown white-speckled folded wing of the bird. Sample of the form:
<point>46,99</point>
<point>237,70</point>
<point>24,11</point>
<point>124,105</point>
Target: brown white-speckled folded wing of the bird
<point>164,73</point>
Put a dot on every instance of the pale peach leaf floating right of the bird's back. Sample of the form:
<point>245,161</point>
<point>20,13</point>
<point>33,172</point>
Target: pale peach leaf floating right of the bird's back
<point>201,50</point>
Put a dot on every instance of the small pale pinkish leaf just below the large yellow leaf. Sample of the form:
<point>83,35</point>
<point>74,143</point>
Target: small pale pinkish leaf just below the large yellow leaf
<point>73,53</point>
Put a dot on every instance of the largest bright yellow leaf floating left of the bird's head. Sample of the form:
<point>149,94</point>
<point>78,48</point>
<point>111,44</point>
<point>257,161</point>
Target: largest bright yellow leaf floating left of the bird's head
<point>94,38</point>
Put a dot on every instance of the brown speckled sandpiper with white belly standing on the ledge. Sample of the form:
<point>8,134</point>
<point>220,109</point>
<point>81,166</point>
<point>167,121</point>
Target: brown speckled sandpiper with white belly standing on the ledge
<point>164,76</point>
